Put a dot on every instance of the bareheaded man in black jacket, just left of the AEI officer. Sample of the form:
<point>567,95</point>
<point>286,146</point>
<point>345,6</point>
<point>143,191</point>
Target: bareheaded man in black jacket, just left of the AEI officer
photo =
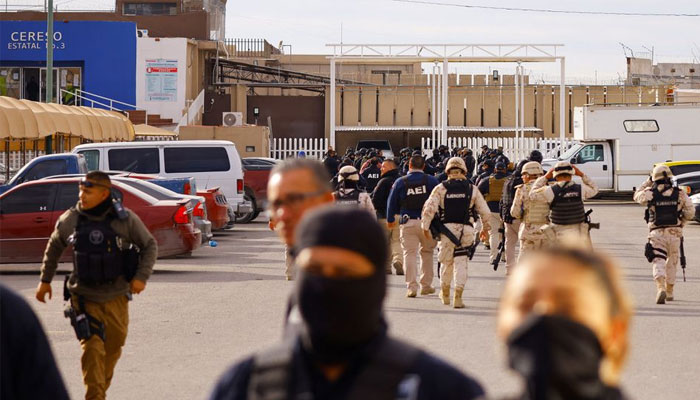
<point>380,195</point>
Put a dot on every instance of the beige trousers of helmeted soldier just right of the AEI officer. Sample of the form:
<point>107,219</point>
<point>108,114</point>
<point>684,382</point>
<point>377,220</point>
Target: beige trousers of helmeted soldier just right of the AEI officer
<point>454,267</point>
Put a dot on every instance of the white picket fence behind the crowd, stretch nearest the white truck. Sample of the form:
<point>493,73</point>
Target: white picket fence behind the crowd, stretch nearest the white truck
<point>548,147</point>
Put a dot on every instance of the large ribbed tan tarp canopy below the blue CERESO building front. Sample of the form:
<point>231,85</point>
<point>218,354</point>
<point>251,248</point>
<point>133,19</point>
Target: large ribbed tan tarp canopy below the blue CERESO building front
<point>25,119</point>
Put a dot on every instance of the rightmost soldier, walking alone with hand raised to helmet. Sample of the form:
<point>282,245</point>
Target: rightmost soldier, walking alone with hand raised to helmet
<point>668,209</point>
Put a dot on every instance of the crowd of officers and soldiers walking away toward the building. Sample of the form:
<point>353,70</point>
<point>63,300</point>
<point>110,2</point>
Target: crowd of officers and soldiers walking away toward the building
<point>441,202</point>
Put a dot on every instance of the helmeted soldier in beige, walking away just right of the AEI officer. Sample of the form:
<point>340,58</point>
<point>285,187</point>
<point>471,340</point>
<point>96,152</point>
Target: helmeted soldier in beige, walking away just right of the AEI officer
<point>454,200</point>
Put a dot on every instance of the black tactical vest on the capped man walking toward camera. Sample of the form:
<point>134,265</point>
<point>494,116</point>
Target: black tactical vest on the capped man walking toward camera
<point>97,258</point>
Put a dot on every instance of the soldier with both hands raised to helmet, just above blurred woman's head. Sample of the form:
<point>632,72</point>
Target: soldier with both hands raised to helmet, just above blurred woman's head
<point>565,199</point>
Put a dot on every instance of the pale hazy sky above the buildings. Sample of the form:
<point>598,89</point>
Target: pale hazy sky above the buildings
<point>592,42</point>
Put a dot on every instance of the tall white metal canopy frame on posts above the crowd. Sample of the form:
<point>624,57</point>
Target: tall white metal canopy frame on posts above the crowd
<point>446,53</point>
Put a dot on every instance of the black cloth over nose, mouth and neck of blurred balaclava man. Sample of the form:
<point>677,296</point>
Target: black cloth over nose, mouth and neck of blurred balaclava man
<point>339,314</point>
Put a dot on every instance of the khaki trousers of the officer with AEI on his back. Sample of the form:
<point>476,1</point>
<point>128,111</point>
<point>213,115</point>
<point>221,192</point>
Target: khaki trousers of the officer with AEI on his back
<point>414,242</point>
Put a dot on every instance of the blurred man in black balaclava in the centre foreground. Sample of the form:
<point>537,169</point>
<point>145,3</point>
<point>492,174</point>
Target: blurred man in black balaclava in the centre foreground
<point>343,350</point>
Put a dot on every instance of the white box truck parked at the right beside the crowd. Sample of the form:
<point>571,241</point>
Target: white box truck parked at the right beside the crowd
<point>619,145</point>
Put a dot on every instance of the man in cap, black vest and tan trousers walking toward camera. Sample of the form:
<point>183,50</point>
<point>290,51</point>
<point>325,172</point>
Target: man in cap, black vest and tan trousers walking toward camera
<point>98,283</point>
